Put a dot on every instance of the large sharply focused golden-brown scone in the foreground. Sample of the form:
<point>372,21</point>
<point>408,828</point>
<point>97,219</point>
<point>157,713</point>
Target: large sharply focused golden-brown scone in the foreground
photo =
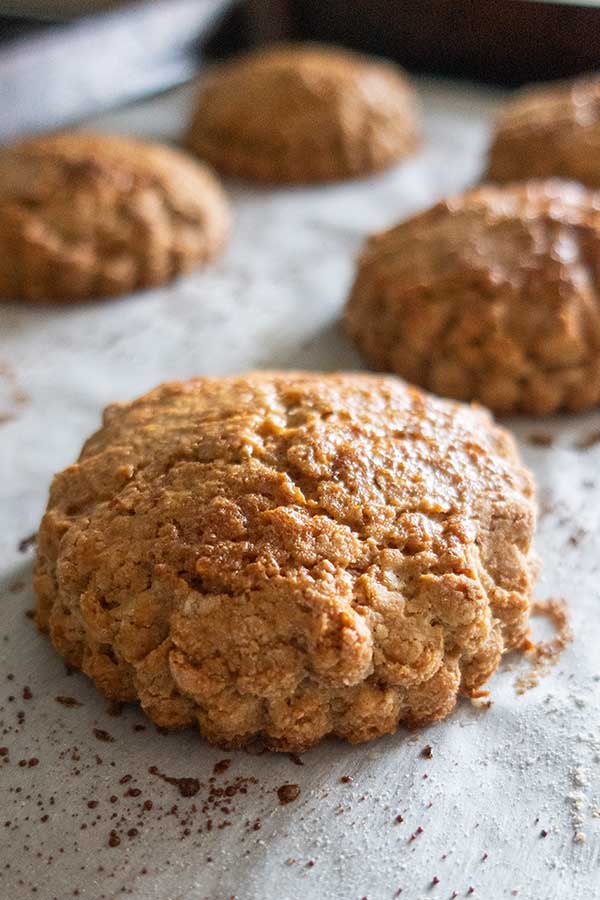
<point>289,555</point>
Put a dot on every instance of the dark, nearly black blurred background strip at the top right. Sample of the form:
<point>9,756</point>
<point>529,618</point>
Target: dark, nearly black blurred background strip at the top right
<point>500,41</point>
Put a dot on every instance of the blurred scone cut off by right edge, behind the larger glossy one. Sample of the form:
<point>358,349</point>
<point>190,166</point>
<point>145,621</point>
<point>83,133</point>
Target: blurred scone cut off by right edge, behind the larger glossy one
<point>549,131</point>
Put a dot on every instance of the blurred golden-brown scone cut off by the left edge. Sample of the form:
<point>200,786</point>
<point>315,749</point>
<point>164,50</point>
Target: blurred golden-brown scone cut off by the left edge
<point>87,215</point>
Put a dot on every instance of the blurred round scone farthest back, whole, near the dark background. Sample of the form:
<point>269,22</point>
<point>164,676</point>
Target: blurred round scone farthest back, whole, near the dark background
<point>304,113</point>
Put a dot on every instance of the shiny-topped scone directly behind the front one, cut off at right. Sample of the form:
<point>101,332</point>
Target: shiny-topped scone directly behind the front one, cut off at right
<point>490,296</point>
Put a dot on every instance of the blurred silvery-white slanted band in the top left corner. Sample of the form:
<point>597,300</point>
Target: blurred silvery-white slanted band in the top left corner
<point>58,73</point>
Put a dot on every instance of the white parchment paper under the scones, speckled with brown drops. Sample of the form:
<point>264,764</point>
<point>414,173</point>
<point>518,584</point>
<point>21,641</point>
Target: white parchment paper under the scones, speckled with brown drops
<point>508,803</point>
